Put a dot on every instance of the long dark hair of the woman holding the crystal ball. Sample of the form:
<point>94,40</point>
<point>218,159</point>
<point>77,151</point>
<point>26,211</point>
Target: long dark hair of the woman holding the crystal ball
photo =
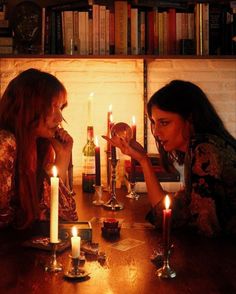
<point>191,103</point>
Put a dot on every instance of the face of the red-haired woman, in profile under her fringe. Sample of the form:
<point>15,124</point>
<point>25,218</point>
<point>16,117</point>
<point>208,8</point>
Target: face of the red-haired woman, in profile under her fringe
<point>48,126</point>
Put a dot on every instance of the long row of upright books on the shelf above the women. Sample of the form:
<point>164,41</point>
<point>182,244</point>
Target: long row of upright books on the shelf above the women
<point>202,29</point>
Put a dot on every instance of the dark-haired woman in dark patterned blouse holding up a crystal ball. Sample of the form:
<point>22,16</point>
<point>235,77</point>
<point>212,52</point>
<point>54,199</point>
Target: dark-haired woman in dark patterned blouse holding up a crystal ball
<point>189,131</point>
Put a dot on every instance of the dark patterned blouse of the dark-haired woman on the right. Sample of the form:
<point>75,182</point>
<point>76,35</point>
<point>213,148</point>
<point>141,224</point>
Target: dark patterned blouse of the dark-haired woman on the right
<point>208,201</point>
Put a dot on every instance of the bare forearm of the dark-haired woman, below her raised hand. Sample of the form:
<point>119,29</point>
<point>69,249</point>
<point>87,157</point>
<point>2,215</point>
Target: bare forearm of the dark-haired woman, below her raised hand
<point>154,189</point>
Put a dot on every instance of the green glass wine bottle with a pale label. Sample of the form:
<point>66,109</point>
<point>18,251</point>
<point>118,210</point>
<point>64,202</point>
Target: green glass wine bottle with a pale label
<point>88,172</point>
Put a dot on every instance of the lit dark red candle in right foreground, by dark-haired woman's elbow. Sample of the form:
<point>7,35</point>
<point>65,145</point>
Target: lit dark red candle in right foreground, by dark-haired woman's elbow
<point>166,223</point>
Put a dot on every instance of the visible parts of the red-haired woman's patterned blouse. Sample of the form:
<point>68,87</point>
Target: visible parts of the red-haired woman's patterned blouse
<point>67,207</point>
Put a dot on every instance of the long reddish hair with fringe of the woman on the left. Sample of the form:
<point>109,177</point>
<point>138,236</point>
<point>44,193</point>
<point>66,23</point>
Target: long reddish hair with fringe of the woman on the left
<point>27,98</point>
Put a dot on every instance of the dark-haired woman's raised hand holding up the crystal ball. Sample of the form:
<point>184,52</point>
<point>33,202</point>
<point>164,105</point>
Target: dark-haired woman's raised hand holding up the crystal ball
<point>131,148</point>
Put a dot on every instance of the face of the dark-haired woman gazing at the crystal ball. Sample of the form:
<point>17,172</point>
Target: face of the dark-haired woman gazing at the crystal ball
<point>170,129</point>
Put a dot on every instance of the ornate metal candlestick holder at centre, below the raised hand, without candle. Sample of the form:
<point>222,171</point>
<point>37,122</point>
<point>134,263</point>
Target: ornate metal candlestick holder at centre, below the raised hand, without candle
<point>112,203</point>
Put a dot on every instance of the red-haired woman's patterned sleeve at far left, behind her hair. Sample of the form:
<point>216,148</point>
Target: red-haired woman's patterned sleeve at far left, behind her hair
<point>7,167</point>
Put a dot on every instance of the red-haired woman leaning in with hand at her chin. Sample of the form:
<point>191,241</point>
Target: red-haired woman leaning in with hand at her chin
<point>31,141</point>
